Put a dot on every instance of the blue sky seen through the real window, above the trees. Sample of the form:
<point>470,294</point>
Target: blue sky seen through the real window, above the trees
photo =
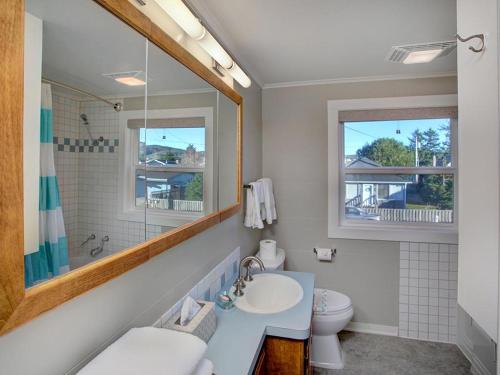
<point>357,134</point>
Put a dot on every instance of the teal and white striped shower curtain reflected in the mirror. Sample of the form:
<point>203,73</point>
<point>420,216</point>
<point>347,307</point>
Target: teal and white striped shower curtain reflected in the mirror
<point>51,259</point>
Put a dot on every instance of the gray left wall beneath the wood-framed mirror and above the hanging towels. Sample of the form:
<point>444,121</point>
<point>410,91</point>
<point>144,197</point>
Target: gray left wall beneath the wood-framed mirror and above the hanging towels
<point>61,339</point>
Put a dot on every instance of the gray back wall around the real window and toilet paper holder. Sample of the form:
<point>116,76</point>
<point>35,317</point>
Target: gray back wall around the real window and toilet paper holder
<point>295,157</point>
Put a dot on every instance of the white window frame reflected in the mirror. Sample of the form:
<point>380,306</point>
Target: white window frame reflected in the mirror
<point>128,154</point>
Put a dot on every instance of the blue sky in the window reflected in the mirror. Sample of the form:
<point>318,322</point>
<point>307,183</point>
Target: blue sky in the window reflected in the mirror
<point>175,137</point>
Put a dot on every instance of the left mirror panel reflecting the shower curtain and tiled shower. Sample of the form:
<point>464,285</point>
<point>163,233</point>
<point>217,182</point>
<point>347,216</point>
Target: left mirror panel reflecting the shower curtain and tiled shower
<point>84,67</point>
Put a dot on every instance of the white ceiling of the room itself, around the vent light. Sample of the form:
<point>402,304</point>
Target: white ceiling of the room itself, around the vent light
<point>302,40</point>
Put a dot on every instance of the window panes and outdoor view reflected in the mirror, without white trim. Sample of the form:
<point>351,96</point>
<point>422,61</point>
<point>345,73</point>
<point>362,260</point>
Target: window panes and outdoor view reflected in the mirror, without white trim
<point>170,168</point>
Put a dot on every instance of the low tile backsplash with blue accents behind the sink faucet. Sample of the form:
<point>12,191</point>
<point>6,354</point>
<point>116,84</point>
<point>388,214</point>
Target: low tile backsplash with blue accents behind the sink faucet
<point>207,288</point>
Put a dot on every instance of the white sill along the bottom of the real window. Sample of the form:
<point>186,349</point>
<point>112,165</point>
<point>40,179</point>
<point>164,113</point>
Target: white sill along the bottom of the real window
<point>387,232</point>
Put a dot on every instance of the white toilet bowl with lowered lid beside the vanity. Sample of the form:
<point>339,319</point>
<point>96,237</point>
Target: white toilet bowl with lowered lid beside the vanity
<point>332,312</point>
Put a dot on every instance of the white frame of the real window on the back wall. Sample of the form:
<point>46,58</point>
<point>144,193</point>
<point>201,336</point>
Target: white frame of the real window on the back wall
<point>373,230</point>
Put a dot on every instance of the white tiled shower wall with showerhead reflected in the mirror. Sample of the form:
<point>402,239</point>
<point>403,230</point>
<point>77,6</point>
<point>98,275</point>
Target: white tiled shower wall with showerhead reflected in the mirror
<point>88,180</point>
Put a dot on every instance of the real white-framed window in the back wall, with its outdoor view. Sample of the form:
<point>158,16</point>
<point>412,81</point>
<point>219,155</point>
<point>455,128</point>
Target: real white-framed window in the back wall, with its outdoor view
<point>396,168</point>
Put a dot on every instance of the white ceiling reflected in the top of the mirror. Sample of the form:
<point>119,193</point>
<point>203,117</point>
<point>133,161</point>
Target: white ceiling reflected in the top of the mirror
<point>82,41</point>
